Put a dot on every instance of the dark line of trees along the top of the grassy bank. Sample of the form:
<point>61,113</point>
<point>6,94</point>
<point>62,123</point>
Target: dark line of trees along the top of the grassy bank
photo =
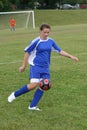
<point>9,5</point>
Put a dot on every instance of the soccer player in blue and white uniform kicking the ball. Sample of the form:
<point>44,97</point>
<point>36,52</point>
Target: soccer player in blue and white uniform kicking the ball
<point>37,54</point>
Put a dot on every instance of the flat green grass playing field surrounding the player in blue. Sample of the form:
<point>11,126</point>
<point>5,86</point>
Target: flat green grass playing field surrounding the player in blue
<point>64,107</point>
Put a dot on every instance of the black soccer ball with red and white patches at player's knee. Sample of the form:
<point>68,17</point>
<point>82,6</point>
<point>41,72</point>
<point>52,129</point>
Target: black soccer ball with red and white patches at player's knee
<point>45,84</point>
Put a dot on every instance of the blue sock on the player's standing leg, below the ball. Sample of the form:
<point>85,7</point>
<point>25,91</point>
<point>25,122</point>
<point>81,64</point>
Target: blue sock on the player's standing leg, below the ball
<point>37,96</point>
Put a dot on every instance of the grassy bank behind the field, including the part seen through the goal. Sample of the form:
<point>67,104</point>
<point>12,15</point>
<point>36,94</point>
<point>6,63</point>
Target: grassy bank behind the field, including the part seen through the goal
<point>53,17</point>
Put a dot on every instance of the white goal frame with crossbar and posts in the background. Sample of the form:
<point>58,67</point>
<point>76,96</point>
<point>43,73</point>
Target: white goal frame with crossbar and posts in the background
<point>28,17</point>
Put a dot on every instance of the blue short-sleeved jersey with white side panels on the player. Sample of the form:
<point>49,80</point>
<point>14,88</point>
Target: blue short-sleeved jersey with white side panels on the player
<point>40,51</point>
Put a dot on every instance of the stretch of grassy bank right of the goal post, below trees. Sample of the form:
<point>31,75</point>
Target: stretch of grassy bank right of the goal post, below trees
<point>61,17</point>
